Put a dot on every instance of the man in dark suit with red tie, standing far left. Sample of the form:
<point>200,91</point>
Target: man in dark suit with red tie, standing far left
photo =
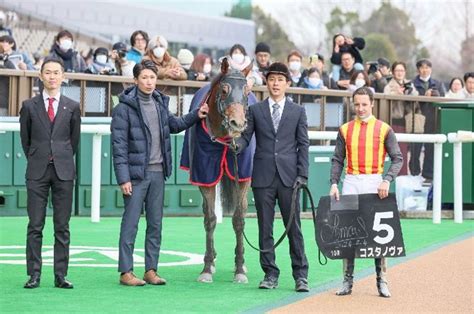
<point>50,129</point>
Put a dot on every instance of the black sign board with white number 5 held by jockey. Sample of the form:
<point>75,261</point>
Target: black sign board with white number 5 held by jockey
<point>359,226</point>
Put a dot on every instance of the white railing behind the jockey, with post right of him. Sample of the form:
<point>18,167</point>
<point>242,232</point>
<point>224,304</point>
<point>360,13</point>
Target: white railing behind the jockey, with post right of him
<point>437,139</point>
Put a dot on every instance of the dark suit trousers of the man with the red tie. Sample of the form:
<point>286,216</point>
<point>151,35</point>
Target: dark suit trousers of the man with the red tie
<point>37,192</point>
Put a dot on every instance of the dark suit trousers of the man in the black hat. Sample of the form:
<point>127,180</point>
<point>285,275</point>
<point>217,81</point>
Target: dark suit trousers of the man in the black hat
<point>265,201</point>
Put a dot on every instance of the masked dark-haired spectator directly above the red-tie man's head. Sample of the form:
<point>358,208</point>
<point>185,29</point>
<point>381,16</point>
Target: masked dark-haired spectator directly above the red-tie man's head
<point>63,49</point>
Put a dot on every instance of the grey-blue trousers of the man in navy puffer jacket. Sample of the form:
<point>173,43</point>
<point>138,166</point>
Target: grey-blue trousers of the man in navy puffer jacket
<point>150,192</point>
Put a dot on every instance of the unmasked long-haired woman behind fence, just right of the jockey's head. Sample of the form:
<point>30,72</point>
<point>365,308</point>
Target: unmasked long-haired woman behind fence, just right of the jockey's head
<point>399,85</point>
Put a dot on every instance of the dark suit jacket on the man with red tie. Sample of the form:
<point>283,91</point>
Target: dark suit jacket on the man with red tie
<point>42,139</point>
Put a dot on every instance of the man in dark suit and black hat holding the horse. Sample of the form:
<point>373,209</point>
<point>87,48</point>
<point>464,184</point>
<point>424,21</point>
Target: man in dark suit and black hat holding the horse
<point>280,165</point>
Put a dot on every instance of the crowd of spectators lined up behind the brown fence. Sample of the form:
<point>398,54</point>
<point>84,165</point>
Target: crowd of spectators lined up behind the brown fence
<point>347,72</point>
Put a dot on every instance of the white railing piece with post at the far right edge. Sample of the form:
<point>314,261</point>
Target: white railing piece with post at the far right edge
<point>457,139</point>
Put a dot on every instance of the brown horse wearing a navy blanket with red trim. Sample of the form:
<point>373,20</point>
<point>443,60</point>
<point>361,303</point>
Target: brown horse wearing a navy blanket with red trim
<point>208,158</point>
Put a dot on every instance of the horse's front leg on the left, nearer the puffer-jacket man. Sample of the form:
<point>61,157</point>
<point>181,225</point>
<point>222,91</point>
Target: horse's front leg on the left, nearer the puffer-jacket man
<point>209,195</point>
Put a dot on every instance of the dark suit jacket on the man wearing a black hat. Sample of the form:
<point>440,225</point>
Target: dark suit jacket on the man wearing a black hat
<point>285,151</point>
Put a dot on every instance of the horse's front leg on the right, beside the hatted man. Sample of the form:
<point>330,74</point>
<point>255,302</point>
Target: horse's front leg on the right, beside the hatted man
<point>238,223</point>
